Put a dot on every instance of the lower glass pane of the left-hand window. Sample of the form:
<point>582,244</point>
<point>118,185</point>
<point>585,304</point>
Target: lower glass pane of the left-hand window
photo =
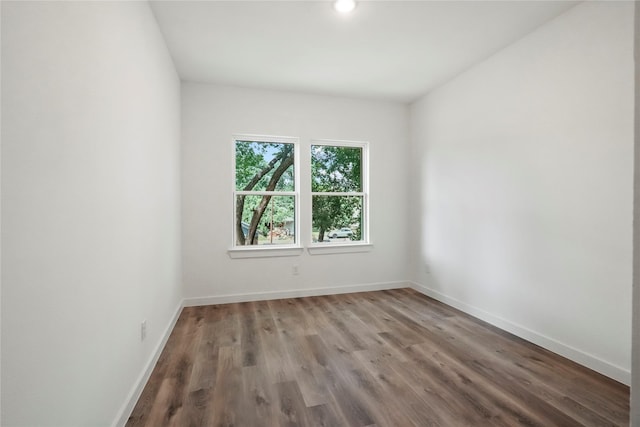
<point>265,220</point>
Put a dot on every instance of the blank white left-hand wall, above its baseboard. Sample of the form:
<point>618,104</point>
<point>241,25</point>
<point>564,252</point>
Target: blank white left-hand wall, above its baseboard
<point>90,207</point>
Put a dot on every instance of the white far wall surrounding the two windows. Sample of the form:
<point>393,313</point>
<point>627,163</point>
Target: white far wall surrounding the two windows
<point>211,115</point>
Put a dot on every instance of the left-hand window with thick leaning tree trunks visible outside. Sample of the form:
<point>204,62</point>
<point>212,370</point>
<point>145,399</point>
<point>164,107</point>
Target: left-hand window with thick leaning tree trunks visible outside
<point>265,191</point>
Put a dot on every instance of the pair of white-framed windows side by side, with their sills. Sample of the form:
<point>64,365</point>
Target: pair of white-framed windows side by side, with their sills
<point>266,197</point>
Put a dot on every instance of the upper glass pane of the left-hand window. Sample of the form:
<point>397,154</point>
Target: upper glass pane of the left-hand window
<point>264,166</point>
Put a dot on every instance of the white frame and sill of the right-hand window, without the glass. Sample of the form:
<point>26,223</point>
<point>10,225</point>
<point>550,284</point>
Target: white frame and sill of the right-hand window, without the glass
<point>363,245</point>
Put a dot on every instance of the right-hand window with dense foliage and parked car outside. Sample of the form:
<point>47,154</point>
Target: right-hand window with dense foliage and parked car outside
<point>339,192</point>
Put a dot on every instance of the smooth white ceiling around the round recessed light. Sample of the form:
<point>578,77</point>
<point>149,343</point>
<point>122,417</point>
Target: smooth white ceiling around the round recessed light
<point>394,50</point>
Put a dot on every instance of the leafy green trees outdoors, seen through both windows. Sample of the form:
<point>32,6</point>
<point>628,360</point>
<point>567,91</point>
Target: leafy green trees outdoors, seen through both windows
<point>263,166</point>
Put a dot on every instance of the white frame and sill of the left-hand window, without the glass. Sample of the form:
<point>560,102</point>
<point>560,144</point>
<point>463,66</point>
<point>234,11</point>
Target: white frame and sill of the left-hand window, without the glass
<point>256,251</point>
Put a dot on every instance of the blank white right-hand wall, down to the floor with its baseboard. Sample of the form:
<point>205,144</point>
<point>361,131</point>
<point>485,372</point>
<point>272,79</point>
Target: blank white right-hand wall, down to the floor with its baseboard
<point>523,170</point>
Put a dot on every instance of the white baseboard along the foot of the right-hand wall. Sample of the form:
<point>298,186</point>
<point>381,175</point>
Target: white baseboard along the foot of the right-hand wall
<point>592,362</point>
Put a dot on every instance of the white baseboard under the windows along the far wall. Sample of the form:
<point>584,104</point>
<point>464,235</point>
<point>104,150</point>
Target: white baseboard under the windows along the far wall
<point>295,293</point>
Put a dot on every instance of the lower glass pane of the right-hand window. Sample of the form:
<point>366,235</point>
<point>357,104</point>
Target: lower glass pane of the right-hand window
<point>337,219</point>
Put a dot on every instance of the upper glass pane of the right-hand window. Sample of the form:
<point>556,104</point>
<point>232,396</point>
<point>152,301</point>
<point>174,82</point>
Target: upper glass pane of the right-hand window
<point>336,169</point>
